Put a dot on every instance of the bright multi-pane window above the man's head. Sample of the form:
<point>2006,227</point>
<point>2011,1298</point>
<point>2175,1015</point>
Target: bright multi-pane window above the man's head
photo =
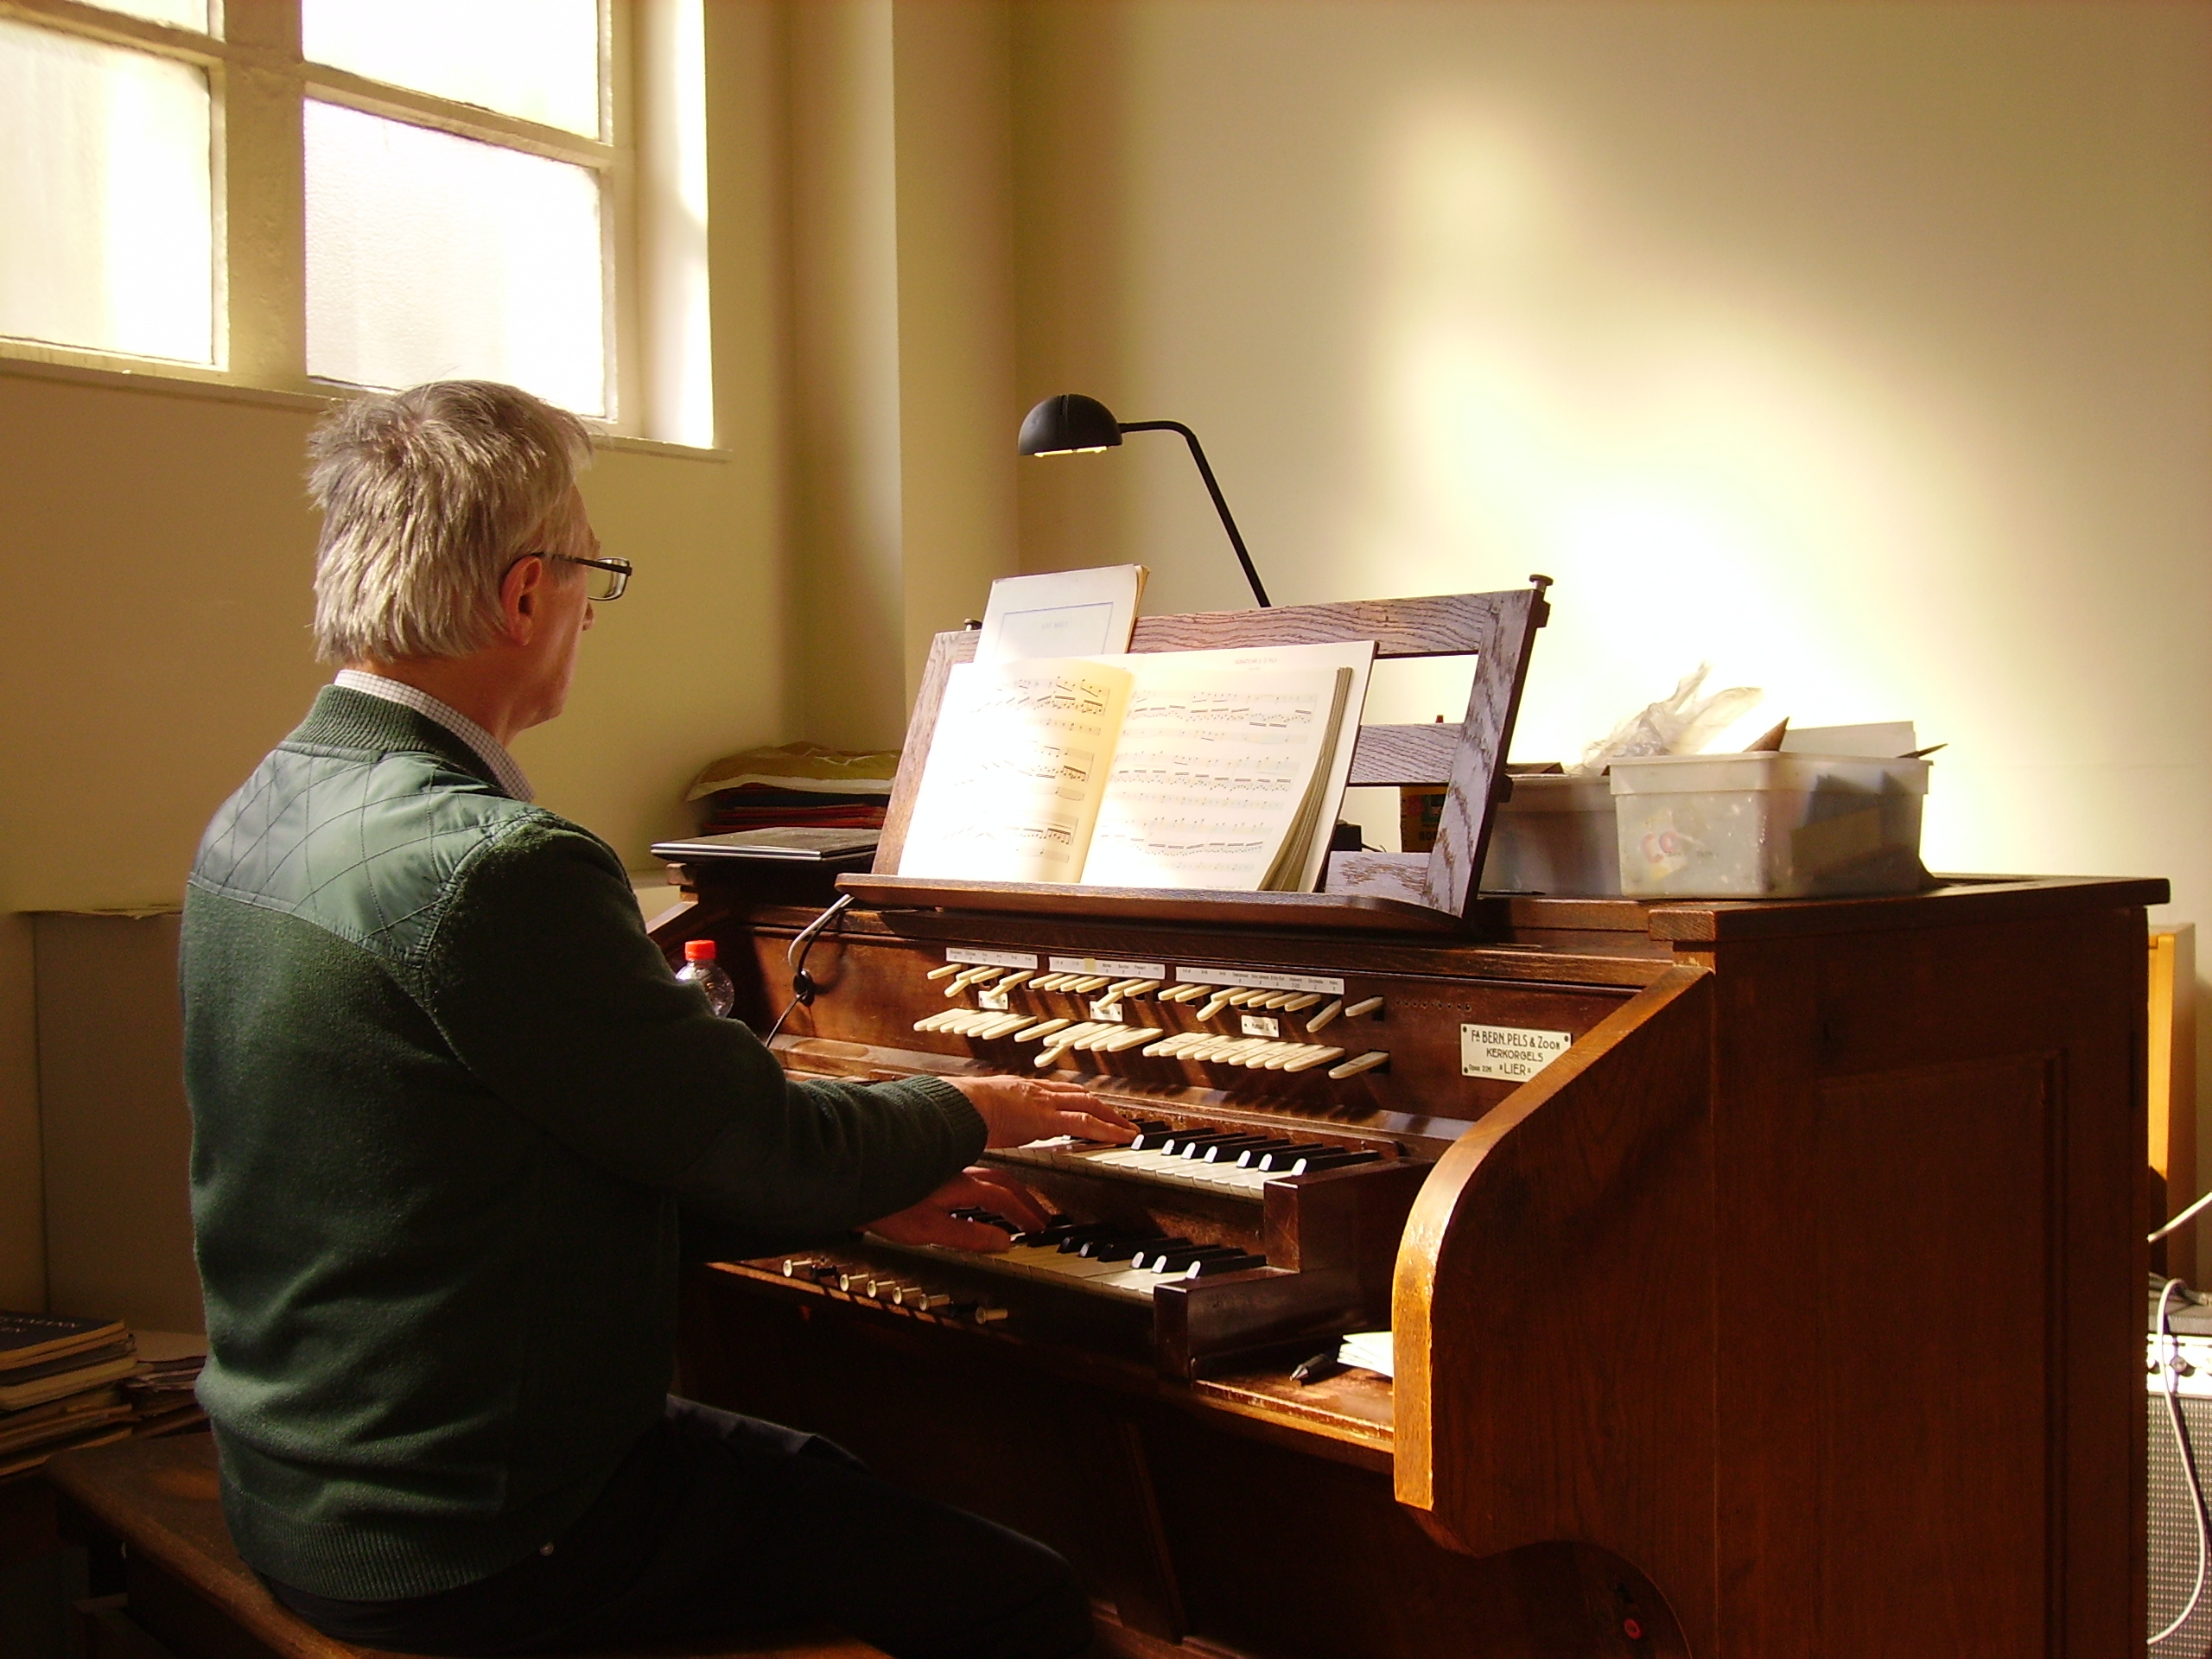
<point>311,194</point>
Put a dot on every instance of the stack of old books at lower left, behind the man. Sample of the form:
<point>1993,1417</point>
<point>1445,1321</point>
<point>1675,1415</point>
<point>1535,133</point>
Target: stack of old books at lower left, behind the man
<point>85,1381</point>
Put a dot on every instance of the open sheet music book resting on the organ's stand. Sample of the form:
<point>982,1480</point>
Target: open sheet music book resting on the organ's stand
<point>1178,769</point>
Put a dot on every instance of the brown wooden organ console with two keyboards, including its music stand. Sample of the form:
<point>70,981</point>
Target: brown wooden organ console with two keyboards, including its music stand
<point>1760,1277</point>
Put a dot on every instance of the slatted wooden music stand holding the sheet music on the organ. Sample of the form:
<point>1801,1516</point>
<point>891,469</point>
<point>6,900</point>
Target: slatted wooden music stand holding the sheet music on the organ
<point>1366,893</point>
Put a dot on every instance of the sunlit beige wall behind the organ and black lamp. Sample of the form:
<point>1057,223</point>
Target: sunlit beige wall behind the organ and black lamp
<point>1866,351</point>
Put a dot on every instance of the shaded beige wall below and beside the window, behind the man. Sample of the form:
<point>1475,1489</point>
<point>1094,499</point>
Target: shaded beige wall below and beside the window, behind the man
<point>154,638</point>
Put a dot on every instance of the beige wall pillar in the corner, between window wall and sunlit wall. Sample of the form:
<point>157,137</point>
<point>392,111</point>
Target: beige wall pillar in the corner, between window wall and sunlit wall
<point>904,397</point>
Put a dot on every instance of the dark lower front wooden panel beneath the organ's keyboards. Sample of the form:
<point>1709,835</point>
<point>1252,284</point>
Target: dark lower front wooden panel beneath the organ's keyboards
<point>1182,1514</point>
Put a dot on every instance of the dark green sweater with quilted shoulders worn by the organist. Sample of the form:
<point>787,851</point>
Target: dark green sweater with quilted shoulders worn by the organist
<point>448,1100</point>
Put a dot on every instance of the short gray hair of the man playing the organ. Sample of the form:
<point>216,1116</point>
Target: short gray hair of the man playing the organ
<point>428,499</point>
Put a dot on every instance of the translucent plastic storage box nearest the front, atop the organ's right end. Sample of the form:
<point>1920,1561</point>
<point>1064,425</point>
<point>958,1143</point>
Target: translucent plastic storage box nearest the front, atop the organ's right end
<point>1768,826</point>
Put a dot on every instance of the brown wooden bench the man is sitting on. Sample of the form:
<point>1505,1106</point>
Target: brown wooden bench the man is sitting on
<point>191,1594</point>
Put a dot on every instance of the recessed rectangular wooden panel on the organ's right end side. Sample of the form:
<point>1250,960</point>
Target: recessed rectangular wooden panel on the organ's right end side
<point>1945,1306</point>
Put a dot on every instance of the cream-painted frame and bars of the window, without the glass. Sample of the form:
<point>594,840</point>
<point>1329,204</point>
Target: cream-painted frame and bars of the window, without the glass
<point>258,90</point>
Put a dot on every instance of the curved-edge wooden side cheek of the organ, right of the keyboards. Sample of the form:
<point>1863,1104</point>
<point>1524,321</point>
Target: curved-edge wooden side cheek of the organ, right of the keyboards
<point>1554,1311</point>
